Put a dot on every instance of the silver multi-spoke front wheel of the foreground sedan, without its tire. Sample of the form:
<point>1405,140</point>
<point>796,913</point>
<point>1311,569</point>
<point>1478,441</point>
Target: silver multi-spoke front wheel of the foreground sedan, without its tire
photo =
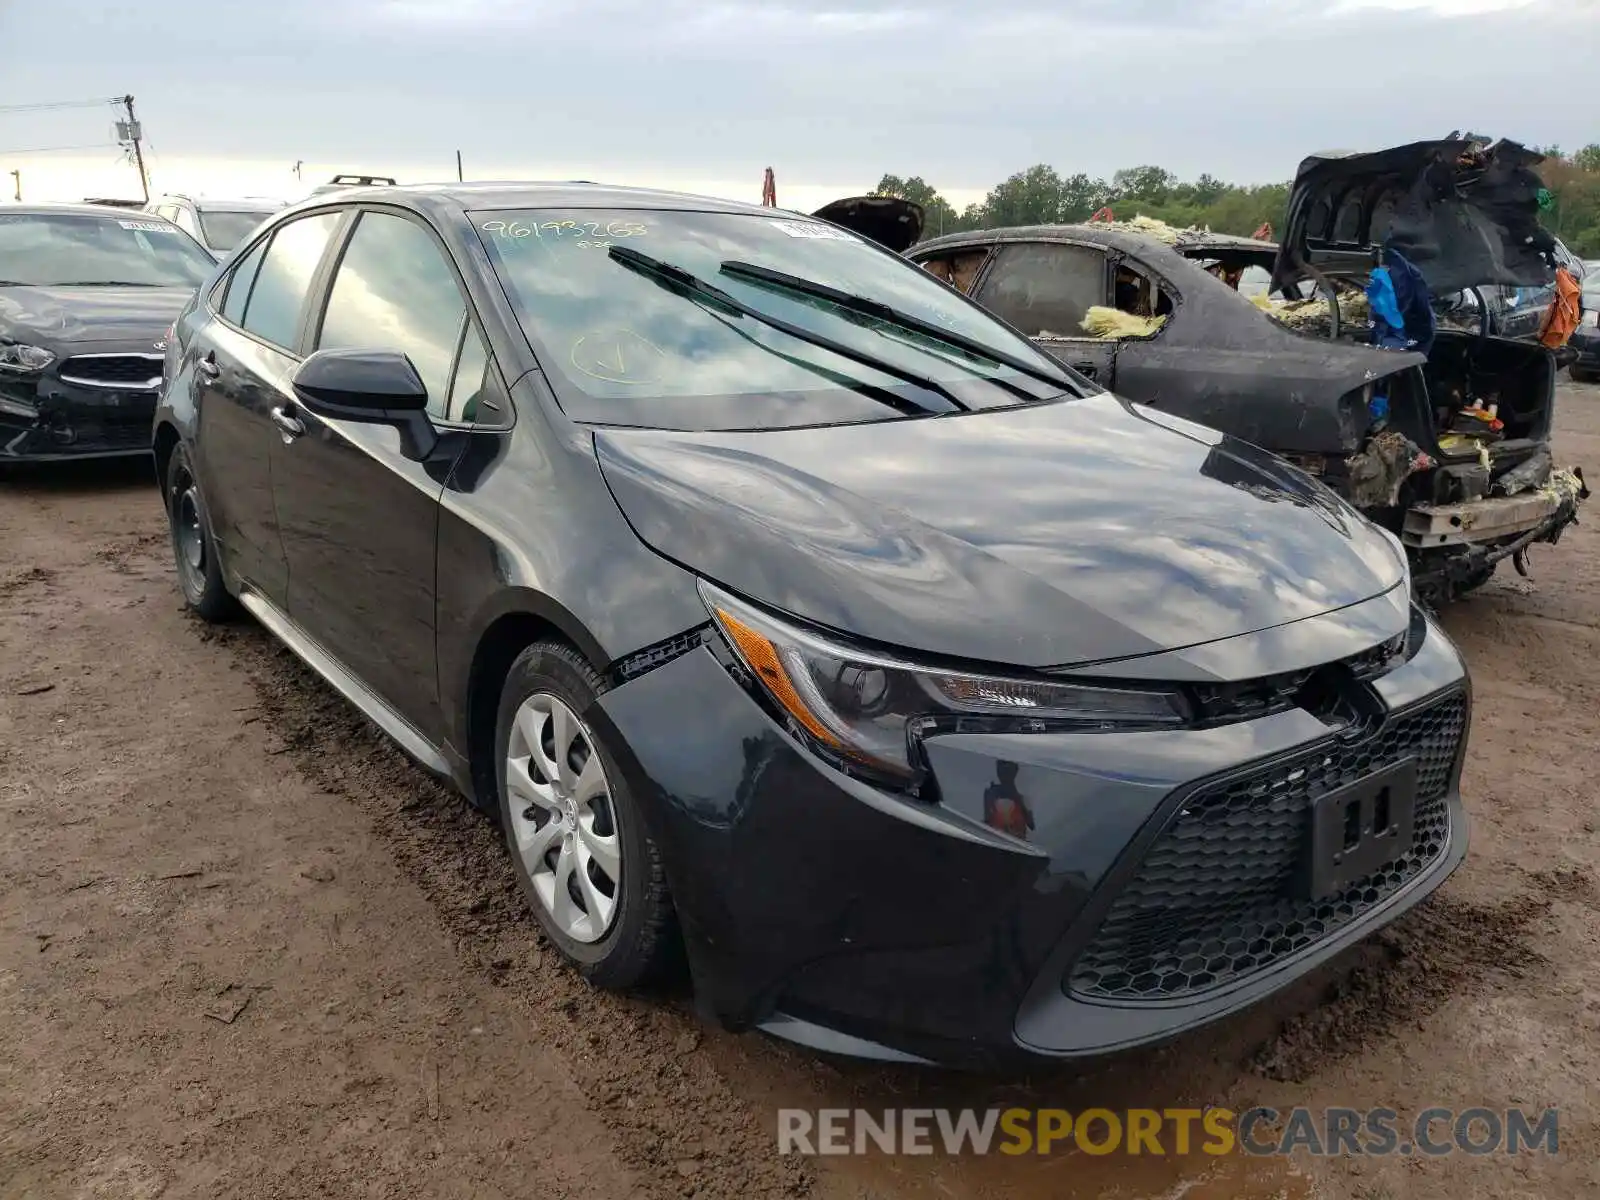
<point>562,820</point>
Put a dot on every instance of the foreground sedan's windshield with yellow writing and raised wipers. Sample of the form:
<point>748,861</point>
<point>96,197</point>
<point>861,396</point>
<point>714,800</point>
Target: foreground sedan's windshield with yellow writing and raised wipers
<point>628,340</point>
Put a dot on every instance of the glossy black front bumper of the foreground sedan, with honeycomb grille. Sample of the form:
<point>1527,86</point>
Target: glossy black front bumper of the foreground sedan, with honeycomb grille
<point>850,919</point>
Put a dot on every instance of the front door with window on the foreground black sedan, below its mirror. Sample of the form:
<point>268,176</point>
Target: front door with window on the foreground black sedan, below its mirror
<point>359,519</point>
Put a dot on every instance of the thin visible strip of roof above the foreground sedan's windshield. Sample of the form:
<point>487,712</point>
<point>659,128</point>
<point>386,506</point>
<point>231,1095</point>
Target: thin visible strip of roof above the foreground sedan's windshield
<point>514,194</point>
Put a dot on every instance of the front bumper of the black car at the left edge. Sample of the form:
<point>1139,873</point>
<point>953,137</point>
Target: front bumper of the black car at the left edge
<point>47,418</point>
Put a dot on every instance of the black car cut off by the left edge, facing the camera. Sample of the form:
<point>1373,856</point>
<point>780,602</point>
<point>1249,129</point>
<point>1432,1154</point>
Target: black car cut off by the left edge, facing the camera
<point>87,297</point>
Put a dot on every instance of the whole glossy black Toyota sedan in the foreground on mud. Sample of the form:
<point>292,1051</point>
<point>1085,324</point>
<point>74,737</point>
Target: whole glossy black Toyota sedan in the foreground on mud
<point>788,607</point>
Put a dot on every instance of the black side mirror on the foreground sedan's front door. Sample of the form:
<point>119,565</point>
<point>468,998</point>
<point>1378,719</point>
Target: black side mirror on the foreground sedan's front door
<point>377,388</point>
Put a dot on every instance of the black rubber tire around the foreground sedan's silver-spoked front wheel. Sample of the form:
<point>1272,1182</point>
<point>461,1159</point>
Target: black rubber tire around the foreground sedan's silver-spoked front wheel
<point>638,946</point>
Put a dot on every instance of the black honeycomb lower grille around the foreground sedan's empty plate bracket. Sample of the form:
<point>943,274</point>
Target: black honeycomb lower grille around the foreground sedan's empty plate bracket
<point>1215,898</point>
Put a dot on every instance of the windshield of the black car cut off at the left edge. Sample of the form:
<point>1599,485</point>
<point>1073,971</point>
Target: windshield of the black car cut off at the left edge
<point>82,249</point>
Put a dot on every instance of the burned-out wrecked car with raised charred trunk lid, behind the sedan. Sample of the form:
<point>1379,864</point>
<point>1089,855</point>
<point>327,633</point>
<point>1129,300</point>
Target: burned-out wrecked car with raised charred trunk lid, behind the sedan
<point>1340,367</point>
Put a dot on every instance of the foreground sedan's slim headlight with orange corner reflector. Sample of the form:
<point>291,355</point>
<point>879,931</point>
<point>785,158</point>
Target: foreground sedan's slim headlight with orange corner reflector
<point>871,711</point>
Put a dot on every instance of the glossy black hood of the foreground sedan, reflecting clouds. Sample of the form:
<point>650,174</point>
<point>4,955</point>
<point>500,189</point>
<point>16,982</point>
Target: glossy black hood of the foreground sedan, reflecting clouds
<point>1039,537</point>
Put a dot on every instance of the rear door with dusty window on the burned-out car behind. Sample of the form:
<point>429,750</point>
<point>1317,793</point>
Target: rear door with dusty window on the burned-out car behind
<point>1047,289</point>
